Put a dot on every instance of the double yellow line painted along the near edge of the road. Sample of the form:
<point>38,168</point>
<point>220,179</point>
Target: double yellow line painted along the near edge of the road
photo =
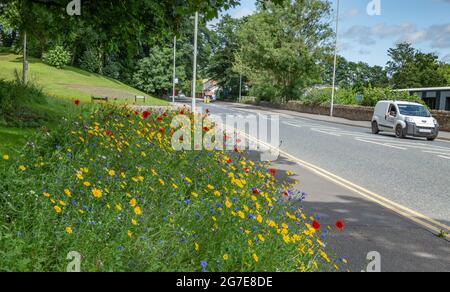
<point>432,225</point>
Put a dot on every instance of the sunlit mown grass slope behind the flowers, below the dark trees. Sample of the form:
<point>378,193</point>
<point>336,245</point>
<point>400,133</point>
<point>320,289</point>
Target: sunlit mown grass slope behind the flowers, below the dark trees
<point>66,83</point>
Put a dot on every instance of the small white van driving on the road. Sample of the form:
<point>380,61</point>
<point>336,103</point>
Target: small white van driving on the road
<point>404,119</point>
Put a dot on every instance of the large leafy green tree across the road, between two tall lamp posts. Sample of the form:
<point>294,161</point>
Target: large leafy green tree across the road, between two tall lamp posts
<point>281,46</point>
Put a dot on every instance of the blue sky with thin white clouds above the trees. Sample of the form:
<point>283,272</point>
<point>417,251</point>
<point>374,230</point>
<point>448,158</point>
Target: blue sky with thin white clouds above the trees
<point>424,23</point>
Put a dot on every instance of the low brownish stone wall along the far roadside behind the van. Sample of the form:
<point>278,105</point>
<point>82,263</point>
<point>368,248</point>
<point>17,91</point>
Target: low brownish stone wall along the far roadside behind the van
<point>350,112</point>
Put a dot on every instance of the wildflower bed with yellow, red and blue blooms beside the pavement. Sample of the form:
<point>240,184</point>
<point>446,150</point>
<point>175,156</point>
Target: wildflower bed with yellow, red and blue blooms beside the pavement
<point>109,186</point>
